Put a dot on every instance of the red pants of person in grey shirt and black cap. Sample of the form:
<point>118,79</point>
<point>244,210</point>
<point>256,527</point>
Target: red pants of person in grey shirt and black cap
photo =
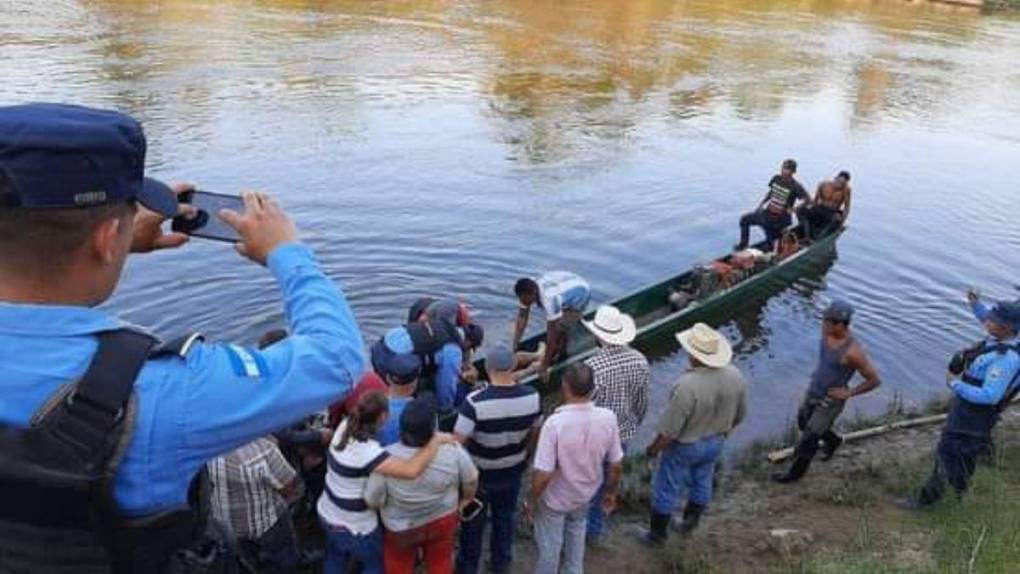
<point>435,540</point>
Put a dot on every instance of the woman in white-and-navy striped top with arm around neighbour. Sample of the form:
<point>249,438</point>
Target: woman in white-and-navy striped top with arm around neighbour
<point>352,530</point>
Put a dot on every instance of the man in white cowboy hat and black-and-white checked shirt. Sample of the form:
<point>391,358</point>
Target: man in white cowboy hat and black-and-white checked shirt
<point>623,380</point>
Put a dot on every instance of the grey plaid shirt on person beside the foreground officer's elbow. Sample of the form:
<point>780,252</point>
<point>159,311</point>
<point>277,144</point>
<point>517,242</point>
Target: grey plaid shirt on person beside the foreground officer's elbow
<point>246,485</point>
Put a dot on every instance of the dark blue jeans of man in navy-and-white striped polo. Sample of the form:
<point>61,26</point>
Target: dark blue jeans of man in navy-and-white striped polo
<point>500,500</point>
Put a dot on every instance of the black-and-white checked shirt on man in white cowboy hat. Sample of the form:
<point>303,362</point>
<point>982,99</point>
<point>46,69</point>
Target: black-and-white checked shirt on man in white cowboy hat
<point>623,379</point>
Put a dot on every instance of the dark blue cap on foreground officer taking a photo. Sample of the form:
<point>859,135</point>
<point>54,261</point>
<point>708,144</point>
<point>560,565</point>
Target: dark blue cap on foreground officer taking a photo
<point>62,156</point>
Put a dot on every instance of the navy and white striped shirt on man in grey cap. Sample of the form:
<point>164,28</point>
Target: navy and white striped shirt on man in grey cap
<point>498,420</point>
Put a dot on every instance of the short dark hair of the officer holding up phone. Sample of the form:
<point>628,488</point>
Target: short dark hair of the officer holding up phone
<point>48,239</point>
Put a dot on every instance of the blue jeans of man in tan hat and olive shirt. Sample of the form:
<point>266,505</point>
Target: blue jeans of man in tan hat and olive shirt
<point>686,466</point>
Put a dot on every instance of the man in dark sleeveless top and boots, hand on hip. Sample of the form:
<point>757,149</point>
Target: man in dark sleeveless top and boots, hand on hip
<point>841,356</point>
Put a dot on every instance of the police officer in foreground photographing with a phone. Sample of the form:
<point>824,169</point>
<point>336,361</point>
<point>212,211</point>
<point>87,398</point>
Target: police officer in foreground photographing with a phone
<point>101,430</point>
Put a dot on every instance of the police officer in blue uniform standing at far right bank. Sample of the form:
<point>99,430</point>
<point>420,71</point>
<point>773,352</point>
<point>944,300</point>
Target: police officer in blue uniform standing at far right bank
<point>984,381</point>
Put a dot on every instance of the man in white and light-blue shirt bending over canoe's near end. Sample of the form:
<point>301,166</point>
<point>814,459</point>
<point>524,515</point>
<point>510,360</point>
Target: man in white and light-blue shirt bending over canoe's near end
<point>564,296</point>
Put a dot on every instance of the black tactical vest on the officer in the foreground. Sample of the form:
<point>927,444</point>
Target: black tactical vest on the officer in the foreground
<point>57,508</point>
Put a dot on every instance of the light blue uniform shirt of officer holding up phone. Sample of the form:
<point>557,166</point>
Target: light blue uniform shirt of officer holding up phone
<point>192,409</point>
